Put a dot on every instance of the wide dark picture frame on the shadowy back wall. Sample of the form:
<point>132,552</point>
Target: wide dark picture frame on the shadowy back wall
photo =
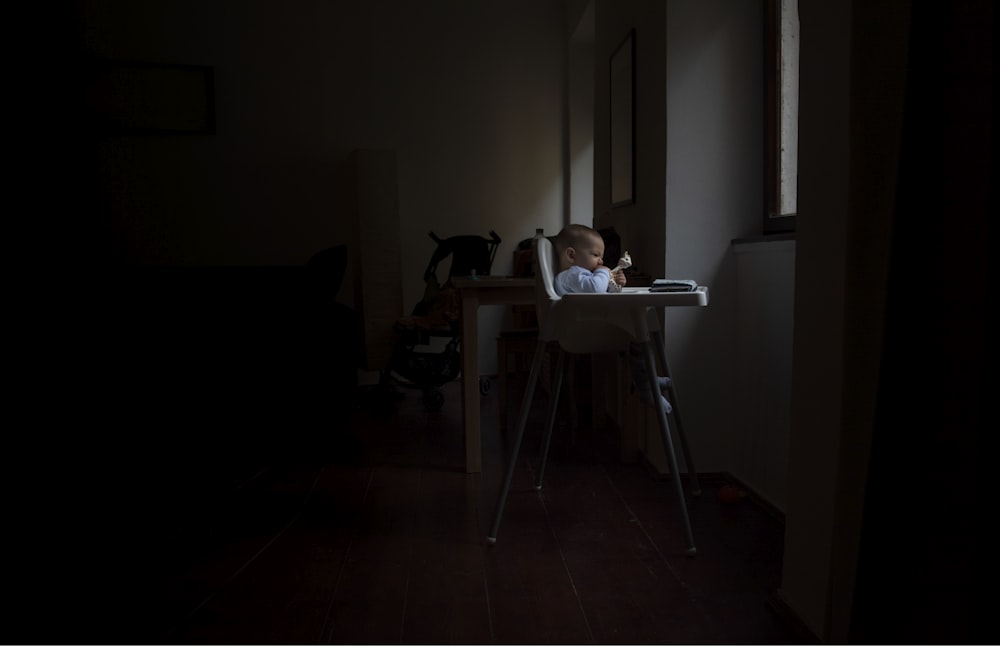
<point>132,97</point>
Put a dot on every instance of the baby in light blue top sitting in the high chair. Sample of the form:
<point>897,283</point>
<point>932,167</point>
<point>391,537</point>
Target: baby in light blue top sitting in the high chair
<point>580,253</point>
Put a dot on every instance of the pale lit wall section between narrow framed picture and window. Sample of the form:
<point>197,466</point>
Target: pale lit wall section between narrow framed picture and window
<point>713,195</point>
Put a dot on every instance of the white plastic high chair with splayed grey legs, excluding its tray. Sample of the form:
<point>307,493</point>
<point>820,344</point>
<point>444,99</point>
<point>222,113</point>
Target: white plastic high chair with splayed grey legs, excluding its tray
<point>585,324</point>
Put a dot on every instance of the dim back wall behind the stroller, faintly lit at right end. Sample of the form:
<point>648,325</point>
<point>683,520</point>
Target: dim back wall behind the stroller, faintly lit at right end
<point>470,95</point>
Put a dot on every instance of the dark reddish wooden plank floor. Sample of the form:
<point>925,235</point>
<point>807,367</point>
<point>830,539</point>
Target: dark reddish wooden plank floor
<point>379,539</point>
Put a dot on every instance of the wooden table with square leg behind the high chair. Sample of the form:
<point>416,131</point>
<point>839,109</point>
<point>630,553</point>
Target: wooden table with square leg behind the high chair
<point>483,290</point>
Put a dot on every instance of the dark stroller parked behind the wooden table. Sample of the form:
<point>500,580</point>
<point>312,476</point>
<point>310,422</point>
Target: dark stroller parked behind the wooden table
<point>426,351</point>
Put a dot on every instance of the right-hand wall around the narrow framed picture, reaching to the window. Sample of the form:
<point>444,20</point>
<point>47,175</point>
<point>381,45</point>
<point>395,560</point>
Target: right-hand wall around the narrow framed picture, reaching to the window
<point>698,175</point>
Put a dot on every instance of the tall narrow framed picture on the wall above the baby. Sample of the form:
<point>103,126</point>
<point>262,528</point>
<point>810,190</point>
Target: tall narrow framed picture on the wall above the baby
<point>622,92</point>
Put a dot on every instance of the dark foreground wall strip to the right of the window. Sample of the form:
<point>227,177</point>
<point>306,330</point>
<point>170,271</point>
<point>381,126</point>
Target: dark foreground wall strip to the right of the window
<point>850,118</point>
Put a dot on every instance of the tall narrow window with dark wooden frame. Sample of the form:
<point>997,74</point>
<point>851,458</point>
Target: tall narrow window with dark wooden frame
<point>781,110</point>
